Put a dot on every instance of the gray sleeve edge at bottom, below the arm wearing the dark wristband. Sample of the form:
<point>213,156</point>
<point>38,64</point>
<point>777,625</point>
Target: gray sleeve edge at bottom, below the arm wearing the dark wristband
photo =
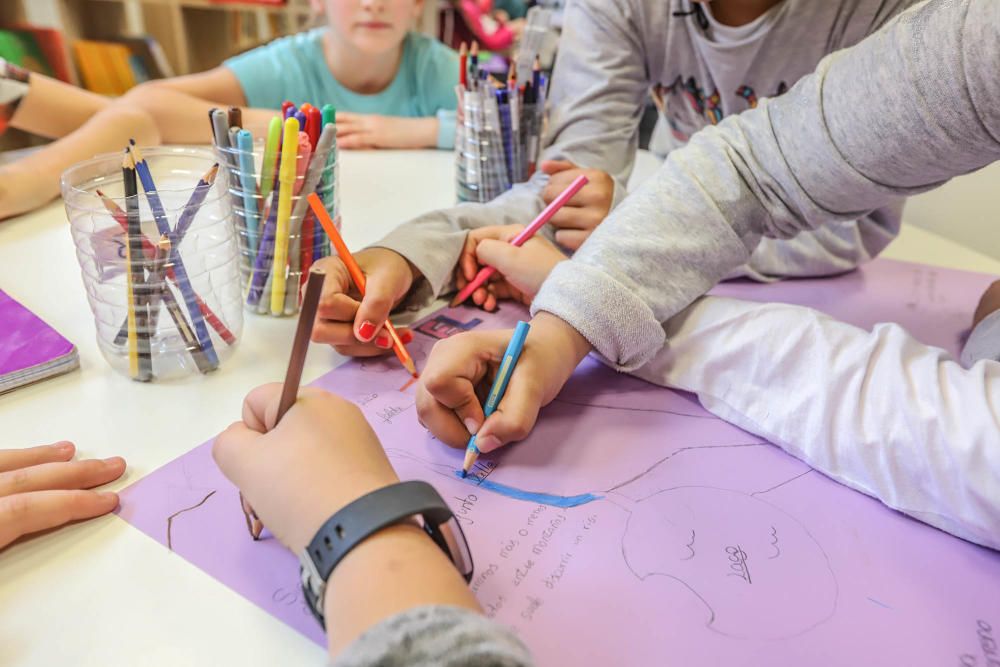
<point>438,636</point>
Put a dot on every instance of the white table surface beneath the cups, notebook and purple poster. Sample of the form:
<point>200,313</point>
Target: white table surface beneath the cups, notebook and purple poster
<point>102,593</point>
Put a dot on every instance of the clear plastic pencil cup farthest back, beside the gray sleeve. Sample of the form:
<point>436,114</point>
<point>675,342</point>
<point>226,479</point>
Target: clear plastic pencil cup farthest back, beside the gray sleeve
<point>491,151</point>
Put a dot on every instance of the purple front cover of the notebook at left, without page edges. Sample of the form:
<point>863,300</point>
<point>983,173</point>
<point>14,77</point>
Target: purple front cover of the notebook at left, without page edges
<point>25,340</point>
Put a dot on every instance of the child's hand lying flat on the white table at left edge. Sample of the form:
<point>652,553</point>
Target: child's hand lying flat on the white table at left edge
<point>42,488</point>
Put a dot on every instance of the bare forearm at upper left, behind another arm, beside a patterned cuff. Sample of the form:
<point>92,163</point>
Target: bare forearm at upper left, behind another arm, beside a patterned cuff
<point>53,108</point>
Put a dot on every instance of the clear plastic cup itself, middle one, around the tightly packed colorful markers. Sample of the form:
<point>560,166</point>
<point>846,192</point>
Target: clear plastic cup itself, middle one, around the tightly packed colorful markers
<point>279,236</point>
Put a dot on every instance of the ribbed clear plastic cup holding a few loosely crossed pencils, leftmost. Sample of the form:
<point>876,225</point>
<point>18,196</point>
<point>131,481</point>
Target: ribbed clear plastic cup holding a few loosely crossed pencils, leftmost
<point>163,285</point>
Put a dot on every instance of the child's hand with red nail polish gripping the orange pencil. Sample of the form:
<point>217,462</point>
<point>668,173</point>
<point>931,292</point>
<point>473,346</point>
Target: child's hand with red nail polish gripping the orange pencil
<point>352,325</point>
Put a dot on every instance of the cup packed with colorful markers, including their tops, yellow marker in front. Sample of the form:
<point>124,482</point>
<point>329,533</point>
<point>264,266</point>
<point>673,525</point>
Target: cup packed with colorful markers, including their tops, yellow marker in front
<point>269,181</point>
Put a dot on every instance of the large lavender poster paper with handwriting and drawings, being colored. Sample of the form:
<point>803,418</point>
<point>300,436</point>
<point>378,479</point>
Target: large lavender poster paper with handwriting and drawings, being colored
<point>634,528</point>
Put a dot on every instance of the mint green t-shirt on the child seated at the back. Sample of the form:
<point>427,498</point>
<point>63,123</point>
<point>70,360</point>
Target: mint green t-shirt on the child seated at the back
<point>294,68</point>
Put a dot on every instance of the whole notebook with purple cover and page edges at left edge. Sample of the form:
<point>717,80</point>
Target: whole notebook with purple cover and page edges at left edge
<point>30,350</point>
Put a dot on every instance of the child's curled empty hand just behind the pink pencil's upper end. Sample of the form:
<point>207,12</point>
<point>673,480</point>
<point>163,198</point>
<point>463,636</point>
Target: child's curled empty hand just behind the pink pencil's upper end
<point>588,207</point>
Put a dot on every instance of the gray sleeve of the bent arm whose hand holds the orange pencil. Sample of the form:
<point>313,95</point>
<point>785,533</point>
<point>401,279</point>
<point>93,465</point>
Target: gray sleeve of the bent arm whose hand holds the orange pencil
<point>596,97</point>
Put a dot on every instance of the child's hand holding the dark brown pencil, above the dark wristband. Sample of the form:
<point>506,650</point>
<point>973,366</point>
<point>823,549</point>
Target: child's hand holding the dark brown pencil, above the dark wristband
<point>322,456</point>
